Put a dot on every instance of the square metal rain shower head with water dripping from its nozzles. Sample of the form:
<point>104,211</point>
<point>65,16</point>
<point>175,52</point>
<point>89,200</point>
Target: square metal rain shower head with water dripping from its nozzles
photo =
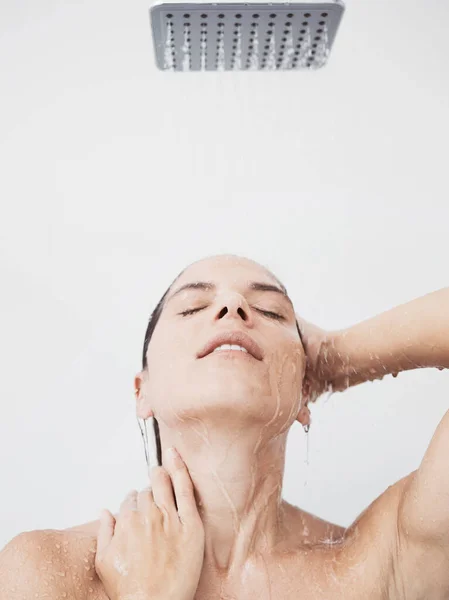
<point>244,36</point>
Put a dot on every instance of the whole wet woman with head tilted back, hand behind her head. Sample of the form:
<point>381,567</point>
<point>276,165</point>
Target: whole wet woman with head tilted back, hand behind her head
<point>214,524</point>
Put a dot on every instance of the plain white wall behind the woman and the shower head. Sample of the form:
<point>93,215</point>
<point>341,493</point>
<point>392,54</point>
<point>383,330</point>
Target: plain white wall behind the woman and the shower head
<point>114,176</point>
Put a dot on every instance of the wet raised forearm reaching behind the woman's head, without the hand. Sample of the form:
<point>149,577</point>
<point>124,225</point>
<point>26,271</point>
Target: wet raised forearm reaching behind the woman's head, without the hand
<point>410,336</point>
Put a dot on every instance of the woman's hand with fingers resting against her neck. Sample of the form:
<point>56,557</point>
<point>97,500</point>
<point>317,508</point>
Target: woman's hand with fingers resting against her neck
<point>153,550</point>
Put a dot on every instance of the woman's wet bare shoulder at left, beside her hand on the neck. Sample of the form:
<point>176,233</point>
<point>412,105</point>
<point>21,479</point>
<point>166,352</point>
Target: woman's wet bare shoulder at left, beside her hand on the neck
<point>52,563</point>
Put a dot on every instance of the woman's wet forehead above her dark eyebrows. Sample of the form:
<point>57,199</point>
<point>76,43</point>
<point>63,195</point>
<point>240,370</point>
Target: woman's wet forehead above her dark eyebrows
<point>226,270</point>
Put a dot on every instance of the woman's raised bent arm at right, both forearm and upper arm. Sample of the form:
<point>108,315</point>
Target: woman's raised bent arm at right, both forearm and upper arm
<point>410,336</point>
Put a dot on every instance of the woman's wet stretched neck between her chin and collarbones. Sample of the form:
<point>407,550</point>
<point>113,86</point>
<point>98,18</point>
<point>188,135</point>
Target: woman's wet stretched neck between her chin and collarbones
<point>238,483</point>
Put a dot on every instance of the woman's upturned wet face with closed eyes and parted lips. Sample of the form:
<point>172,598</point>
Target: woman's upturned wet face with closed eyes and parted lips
<point>234,387</point>
